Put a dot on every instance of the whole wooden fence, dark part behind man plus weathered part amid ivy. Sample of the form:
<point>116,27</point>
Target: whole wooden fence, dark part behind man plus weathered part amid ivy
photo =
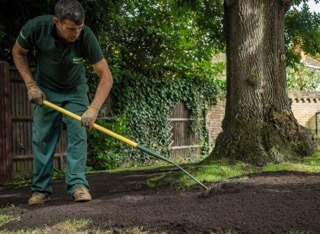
<point>16,159</point>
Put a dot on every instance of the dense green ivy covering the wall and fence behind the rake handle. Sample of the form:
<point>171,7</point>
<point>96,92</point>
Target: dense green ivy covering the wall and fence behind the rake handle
<point>140,108</point>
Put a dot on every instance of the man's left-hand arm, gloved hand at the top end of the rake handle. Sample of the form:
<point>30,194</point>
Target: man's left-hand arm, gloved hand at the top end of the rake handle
<point>35,95</point>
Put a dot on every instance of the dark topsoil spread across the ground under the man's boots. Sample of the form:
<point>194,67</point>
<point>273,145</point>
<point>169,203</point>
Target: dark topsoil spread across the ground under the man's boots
<point>282,202</point>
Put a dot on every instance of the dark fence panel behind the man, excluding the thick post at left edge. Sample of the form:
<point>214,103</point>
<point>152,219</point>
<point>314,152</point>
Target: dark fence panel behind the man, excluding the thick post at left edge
<point>21,120</point>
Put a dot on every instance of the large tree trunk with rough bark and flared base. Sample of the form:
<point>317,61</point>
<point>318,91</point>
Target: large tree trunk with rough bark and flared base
<point>259,125</point>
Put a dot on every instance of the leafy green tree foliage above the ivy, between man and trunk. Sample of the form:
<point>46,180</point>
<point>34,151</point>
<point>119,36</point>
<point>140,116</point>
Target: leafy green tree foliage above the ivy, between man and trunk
<point>158,39</point>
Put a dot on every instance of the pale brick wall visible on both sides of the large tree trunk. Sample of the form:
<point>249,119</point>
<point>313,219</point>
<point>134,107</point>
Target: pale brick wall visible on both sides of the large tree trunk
<point>305,105</point>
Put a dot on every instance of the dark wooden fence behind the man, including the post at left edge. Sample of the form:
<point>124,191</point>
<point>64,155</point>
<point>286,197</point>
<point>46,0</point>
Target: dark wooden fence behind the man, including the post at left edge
<point>16,128</point>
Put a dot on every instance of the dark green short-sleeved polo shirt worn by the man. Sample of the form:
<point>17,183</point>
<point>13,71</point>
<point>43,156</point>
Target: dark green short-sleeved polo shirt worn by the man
<point>60,66</point>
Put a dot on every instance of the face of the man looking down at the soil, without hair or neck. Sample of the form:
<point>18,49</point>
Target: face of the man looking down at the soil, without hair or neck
<point>68,30</point>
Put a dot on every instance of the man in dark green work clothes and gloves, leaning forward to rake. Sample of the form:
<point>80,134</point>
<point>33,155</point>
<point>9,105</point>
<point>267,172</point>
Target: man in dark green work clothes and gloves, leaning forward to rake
<point>61,42</point>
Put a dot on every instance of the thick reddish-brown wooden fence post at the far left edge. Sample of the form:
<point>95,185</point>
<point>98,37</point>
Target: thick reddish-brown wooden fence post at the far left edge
<point>5,125</point>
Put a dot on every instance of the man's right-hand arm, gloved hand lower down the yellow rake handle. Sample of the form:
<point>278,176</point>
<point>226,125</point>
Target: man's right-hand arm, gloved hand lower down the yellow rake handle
<point>106,81</point>
